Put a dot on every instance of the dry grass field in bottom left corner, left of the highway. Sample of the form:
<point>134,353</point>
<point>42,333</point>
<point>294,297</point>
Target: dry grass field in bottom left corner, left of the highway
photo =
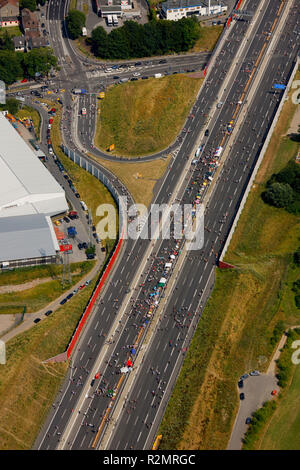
<point>32,385</point>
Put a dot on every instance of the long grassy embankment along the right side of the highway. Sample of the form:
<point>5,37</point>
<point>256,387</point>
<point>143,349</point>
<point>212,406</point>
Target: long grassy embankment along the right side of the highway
<point>234,333</point>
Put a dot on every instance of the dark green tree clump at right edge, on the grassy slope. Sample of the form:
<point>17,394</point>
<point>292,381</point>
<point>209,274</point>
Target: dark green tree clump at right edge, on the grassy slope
<point>283,189</point>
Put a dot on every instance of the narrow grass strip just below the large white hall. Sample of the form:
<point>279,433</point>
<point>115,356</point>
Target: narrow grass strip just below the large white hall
<point>42,294</point>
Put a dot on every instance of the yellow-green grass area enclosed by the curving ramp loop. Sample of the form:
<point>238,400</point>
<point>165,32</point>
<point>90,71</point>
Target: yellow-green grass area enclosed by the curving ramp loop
<point>144,117</point>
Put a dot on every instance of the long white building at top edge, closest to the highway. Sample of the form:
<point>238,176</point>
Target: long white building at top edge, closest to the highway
<point>177,9</point>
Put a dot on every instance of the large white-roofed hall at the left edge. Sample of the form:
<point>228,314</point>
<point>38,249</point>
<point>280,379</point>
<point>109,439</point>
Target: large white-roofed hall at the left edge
<point>29,197</point>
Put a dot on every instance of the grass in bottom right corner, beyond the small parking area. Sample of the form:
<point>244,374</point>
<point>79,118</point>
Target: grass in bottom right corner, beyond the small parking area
<point>276,426</point>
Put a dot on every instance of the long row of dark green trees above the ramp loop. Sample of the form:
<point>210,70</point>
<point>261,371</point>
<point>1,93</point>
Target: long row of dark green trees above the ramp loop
<point>134,40</point>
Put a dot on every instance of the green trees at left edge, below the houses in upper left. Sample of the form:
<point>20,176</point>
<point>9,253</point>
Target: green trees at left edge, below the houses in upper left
<point>17,65</point>
